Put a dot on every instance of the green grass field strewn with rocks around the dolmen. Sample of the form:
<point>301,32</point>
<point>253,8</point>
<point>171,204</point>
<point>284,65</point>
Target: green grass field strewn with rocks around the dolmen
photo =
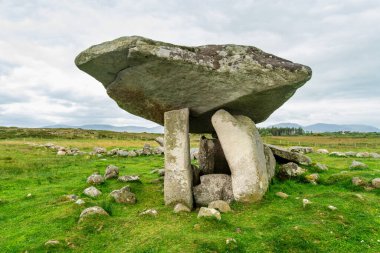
<point>273,225</point>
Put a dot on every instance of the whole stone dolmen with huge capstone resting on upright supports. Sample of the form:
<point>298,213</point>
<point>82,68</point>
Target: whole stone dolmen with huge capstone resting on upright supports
<point>223,90</point>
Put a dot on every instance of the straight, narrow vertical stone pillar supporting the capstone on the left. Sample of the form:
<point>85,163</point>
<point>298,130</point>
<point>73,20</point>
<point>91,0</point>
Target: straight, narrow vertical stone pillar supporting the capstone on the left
<point>178,173</point>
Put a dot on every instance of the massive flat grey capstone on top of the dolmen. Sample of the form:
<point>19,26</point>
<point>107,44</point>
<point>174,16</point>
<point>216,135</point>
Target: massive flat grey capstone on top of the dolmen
<point>148,78</point>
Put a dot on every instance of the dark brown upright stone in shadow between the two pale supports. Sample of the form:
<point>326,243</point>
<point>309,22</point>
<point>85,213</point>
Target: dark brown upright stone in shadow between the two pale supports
<point>211,157</point>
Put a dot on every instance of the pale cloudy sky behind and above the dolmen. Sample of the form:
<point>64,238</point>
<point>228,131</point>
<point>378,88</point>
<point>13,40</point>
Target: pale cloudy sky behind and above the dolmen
<point>39,40</point>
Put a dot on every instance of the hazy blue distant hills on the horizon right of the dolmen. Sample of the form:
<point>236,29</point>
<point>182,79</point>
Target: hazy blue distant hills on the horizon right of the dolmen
<point>323,128</point>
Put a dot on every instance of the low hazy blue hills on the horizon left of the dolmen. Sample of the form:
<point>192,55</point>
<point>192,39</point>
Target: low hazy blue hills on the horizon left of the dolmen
<point>130,129</point>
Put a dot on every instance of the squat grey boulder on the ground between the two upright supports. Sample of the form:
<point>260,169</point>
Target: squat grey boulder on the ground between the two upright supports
<point>213,187</point>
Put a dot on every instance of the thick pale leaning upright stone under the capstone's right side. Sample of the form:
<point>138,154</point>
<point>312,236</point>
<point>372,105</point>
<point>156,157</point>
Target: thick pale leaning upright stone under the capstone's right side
<point>244,151</point>
